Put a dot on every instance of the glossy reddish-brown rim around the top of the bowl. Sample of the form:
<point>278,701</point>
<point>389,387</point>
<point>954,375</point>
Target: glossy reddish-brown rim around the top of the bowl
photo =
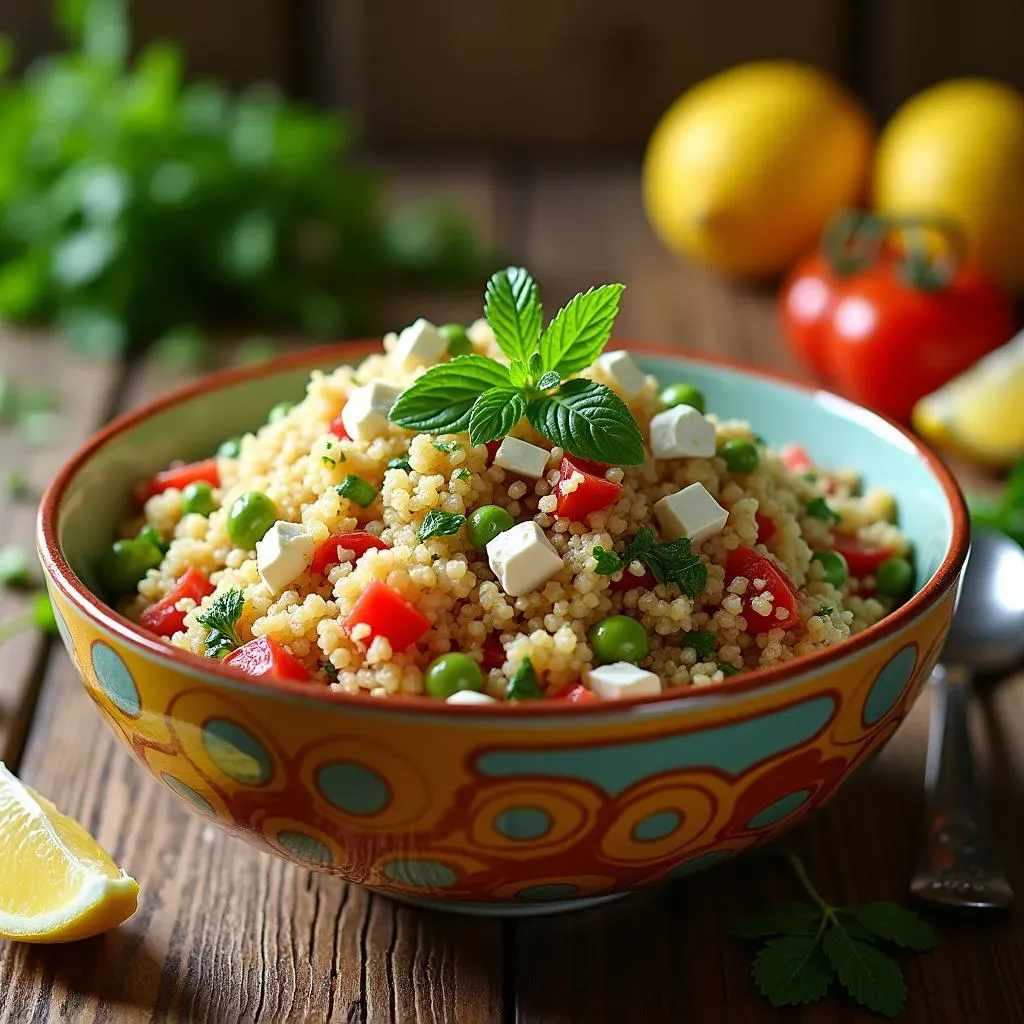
<point>74,590</point>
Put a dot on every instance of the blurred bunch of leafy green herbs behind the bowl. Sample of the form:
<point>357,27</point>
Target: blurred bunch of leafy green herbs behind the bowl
<point>134,204</point>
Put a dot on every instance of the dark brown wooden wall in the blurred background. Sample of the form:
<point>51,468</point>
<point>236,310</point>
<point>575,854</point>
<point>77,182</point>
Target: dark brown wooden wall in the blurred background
<point>541,75</point>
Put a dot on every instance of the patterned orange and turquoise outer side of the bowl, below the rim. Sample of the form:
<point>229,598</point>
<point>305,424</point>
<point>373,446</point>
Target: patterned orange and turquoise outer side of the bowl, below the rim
<point>483,809</point>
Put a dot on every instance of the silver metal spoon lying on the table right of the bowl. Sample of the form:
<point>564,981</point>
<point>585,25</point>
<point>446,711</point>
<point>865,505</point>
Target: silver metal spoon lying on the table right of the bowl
<point>958,866</point>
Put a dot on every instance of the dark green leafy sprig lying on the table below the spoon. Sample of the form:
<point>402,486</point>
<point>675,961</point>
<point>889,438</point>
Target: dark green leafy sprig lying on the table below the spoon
<point>813,945</point>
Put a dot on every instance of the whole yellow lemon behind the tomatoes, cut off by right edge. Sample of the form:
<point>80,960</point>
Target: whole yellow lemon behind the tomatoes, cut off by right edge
<point>958,151</point>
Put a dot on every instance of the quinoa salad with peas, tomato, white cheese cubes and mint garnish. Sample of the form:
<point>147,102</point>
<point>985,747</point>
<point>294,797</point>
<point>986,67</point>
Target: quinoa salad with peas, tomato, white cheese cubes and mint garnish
<point>505,513</point>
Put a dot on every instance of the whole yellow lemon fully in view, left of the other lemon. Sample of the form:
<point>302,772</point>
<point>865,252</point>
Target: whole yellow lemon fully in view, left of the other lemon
<point>744,172</point>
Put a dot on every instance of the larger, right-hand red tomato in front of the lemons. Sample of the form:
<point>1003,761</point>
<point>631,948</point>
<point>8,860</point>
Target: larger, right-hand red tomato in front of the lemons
<point>889,344</point>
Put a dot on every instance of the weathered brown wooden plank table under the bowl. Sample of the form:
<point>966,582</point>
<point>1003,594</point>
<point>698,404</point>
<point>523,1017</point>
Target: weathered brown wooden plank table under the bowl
<point>227,934</point>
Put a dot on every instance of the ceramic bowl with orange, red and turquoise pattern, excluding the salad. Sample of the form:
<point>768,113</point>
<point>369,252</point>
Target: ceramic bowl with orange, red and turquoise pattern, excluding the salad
<point>495,809</point>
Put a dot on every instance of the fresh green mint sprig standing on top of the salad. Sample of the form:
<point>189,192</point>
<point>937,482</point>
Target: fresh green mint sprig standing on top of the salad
<point>488,399</point>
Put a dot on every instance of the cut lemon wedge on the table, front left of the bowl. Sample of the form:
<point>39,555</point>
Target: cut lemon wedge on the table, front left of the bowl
<point>57,885</point>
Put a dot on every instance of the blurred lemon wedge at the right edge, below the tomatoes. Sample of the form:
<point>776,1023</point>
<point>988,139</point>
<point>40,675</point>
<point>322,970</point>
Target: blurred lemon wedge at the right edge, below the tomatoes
<point>980,414</point>
